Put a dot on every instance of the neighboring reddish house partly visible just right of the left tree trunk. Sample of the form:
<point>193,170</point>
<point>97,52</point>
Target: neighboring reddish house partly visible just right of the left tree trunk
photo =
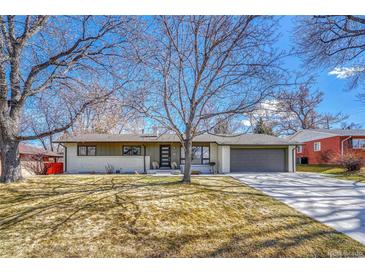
<point>29,154</point>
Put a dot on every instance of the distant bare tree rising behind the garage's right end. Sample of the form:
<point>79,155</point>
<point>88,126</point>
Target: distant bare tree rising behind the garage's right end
<point>296,110</point>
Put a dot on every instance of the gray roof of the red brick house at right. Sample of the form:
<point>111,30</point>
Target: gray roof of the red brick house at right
<point>315,134</point>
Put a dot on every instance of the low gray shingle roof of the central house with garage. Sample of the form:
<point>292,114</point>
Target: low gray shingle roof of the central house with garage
<point>244,139</point>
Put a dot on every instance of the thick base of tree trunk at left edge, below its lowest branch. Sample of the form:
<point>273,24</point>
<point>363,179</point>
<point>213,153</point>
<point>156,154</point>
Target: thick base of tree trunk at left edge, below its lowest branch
<point>10,161</point>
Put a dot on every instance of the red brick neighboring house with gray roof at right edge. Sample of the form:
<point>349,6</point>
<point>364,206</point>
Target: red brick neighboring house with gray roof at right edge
<point>321,146</point>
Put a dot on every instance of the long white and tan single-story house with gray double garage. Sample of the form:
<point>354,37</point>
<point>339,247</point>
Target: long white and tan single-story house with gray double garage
<point>124,153</point>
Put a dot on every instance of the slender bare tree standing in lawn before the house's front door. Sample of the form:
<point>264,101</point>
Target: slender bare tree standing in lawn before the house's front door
<point>203,68</point>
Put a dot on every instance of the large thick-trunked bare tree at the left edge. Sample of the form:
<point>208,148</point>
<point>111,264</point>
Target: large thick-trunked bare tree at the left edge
<point>56,58</point>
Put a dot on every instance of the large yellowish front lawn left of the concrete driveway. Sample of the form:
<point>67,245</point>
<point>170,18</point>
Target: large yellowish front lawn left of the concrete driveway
<point>145,216</point>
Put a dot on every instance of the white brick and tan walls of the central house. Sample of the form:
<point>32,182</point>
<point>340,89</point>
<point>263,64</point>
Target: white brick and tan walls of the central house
<point>111,153</point>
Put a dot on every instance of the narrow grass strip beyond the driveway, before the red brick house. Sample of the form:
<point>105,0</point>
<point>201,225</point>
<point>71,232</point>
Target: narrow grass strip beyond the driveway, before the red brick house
<point>334,170</point>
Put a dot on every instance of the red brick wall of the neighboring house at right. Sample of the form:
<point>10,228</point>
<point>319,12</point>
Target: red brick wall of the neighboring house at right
<point>330,148</point>
